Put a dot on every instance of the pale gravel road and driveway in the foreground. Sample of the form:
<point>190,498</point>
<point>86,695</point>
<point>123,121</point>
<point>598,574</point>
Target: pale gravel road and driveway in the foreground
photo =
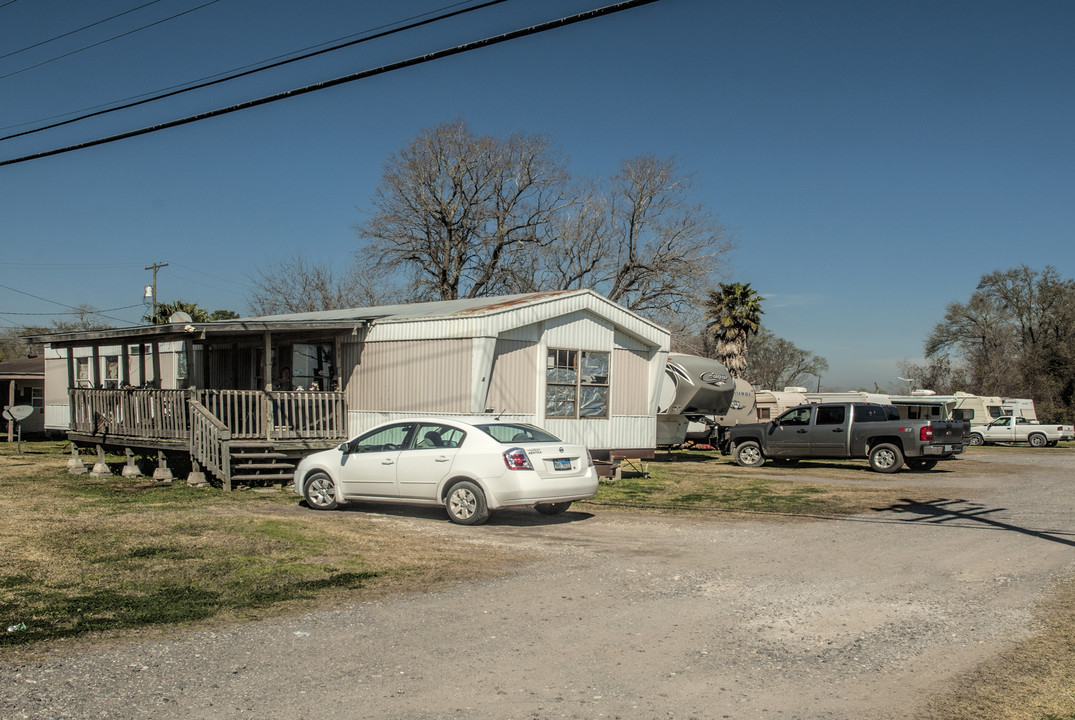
<point>629,616</point>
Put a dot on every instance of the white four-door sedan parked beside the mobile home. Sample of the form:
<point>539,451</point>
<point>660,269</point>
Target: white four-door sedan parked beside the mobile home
<point>469,467</point>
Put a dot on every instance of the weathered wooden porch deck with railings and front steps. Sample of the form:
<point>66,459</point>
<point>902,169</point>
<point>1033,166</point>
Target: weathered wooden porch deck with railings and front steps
<point>239,437</point>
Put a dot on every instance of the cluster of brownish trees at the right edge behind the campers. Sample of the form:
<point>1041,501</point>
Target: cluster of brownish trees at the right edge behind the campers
<point>1014,338</point>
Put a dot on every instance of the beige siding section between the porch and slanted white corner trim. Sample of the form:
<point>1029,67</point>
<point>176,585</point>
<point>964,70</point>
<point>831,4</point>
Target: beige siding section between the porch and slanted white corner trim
<point>420,377</point>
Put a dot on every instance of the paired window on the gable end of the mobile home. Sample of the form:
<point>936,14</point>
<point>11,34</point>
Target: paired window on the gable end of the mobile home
<point>577,384</point>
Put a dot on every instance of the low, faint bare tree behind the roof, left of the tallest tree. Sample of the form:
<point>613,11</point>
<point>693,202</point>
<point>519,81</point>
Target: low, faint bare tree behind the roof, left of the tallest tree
<point>296,285</point>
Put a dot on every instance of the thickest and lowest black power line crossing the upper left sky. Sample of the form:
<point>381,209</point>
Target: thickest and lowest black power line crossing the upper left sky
<point>535,30</point>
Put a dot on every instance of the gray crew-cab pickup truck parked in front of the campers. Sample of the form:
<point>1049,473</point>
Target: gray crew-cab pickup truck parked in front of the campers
<point>848,430</point>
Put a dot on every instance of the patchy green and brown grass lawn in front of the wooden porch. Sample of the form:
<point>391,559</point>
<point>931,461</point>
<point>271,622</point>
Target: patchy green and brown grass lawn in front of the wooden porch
<point>85,555</point>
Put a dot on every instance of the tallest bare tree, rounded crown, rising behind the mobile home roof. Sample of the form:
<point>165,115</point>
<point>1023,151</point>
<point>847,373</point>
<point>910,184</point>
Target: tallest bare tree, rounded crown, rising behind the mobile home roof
<point>455,210</point>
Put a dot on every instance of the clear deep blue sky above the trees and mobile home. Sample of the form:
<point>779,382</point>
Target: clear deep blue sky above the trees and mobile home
<point>873,160</point>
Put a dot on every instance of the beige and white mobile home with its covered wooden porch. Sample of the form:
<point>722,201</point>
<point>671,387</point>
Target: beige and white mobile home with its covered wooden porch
<point>574,363</point>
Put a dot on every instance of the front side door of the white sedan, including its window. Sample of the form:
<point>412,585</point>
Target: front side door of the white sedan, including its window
<point>369,467</point>
